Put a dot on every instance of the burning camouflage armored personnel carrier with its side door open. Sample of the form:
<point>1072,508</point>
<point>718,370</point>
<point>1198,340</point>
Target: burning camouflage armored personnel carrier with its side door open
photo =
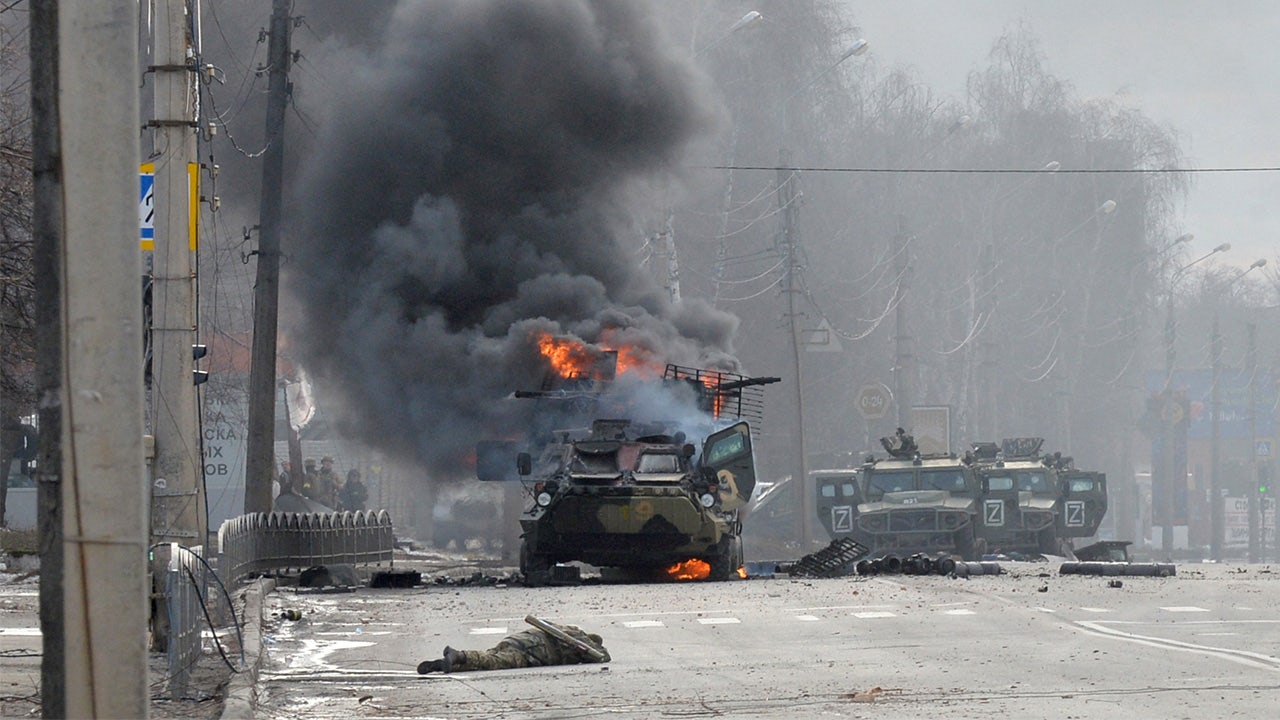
<point>646,495</point>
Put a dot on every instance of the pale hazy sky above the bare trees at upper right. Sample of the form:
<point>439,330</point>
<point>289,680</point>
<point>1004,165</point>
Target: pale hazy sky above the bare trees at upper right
<point>1209,70</point>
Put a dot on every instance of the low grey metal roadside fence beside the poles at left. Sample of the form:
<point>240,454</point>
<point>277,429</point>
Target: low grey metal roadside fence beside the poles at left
<point>196,595</point>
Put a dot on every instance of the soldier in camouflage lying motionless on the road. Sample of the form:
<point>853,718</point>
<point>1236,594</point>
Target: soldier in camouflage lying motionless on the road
<point>545,644</point>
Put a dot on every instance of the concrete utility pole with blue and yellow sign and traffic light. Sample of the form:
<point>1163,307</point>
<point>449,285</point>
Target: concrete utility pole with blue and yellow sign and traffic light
<point>179,508</point>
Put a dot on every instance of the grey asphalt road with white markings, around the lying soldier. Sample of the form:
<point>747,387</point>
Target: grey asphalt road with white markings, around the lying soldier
<point>1031,644</point>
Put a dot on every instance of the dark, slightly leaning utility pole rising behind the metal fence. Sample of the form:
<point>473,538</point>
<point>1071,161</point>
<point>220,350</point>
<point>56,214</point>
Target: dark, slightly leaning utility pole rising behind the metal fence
<point>260,445</point>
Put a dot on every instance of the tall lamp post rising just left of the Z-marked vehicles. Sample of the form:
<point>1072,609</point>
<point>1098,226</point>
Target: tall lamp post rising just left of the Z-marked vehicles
<point>789,243</point>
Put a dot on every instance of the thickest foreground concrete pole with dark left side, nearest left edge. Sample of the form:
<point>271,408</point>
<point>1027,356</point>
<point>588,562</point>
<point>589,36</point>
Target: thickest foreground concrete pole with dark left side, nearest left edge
<point>89,304</point>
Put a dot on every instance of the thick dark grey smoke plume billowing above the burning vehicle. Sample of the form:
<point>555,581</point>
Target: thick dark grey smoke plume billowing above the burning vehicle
<point>477,184</point>
